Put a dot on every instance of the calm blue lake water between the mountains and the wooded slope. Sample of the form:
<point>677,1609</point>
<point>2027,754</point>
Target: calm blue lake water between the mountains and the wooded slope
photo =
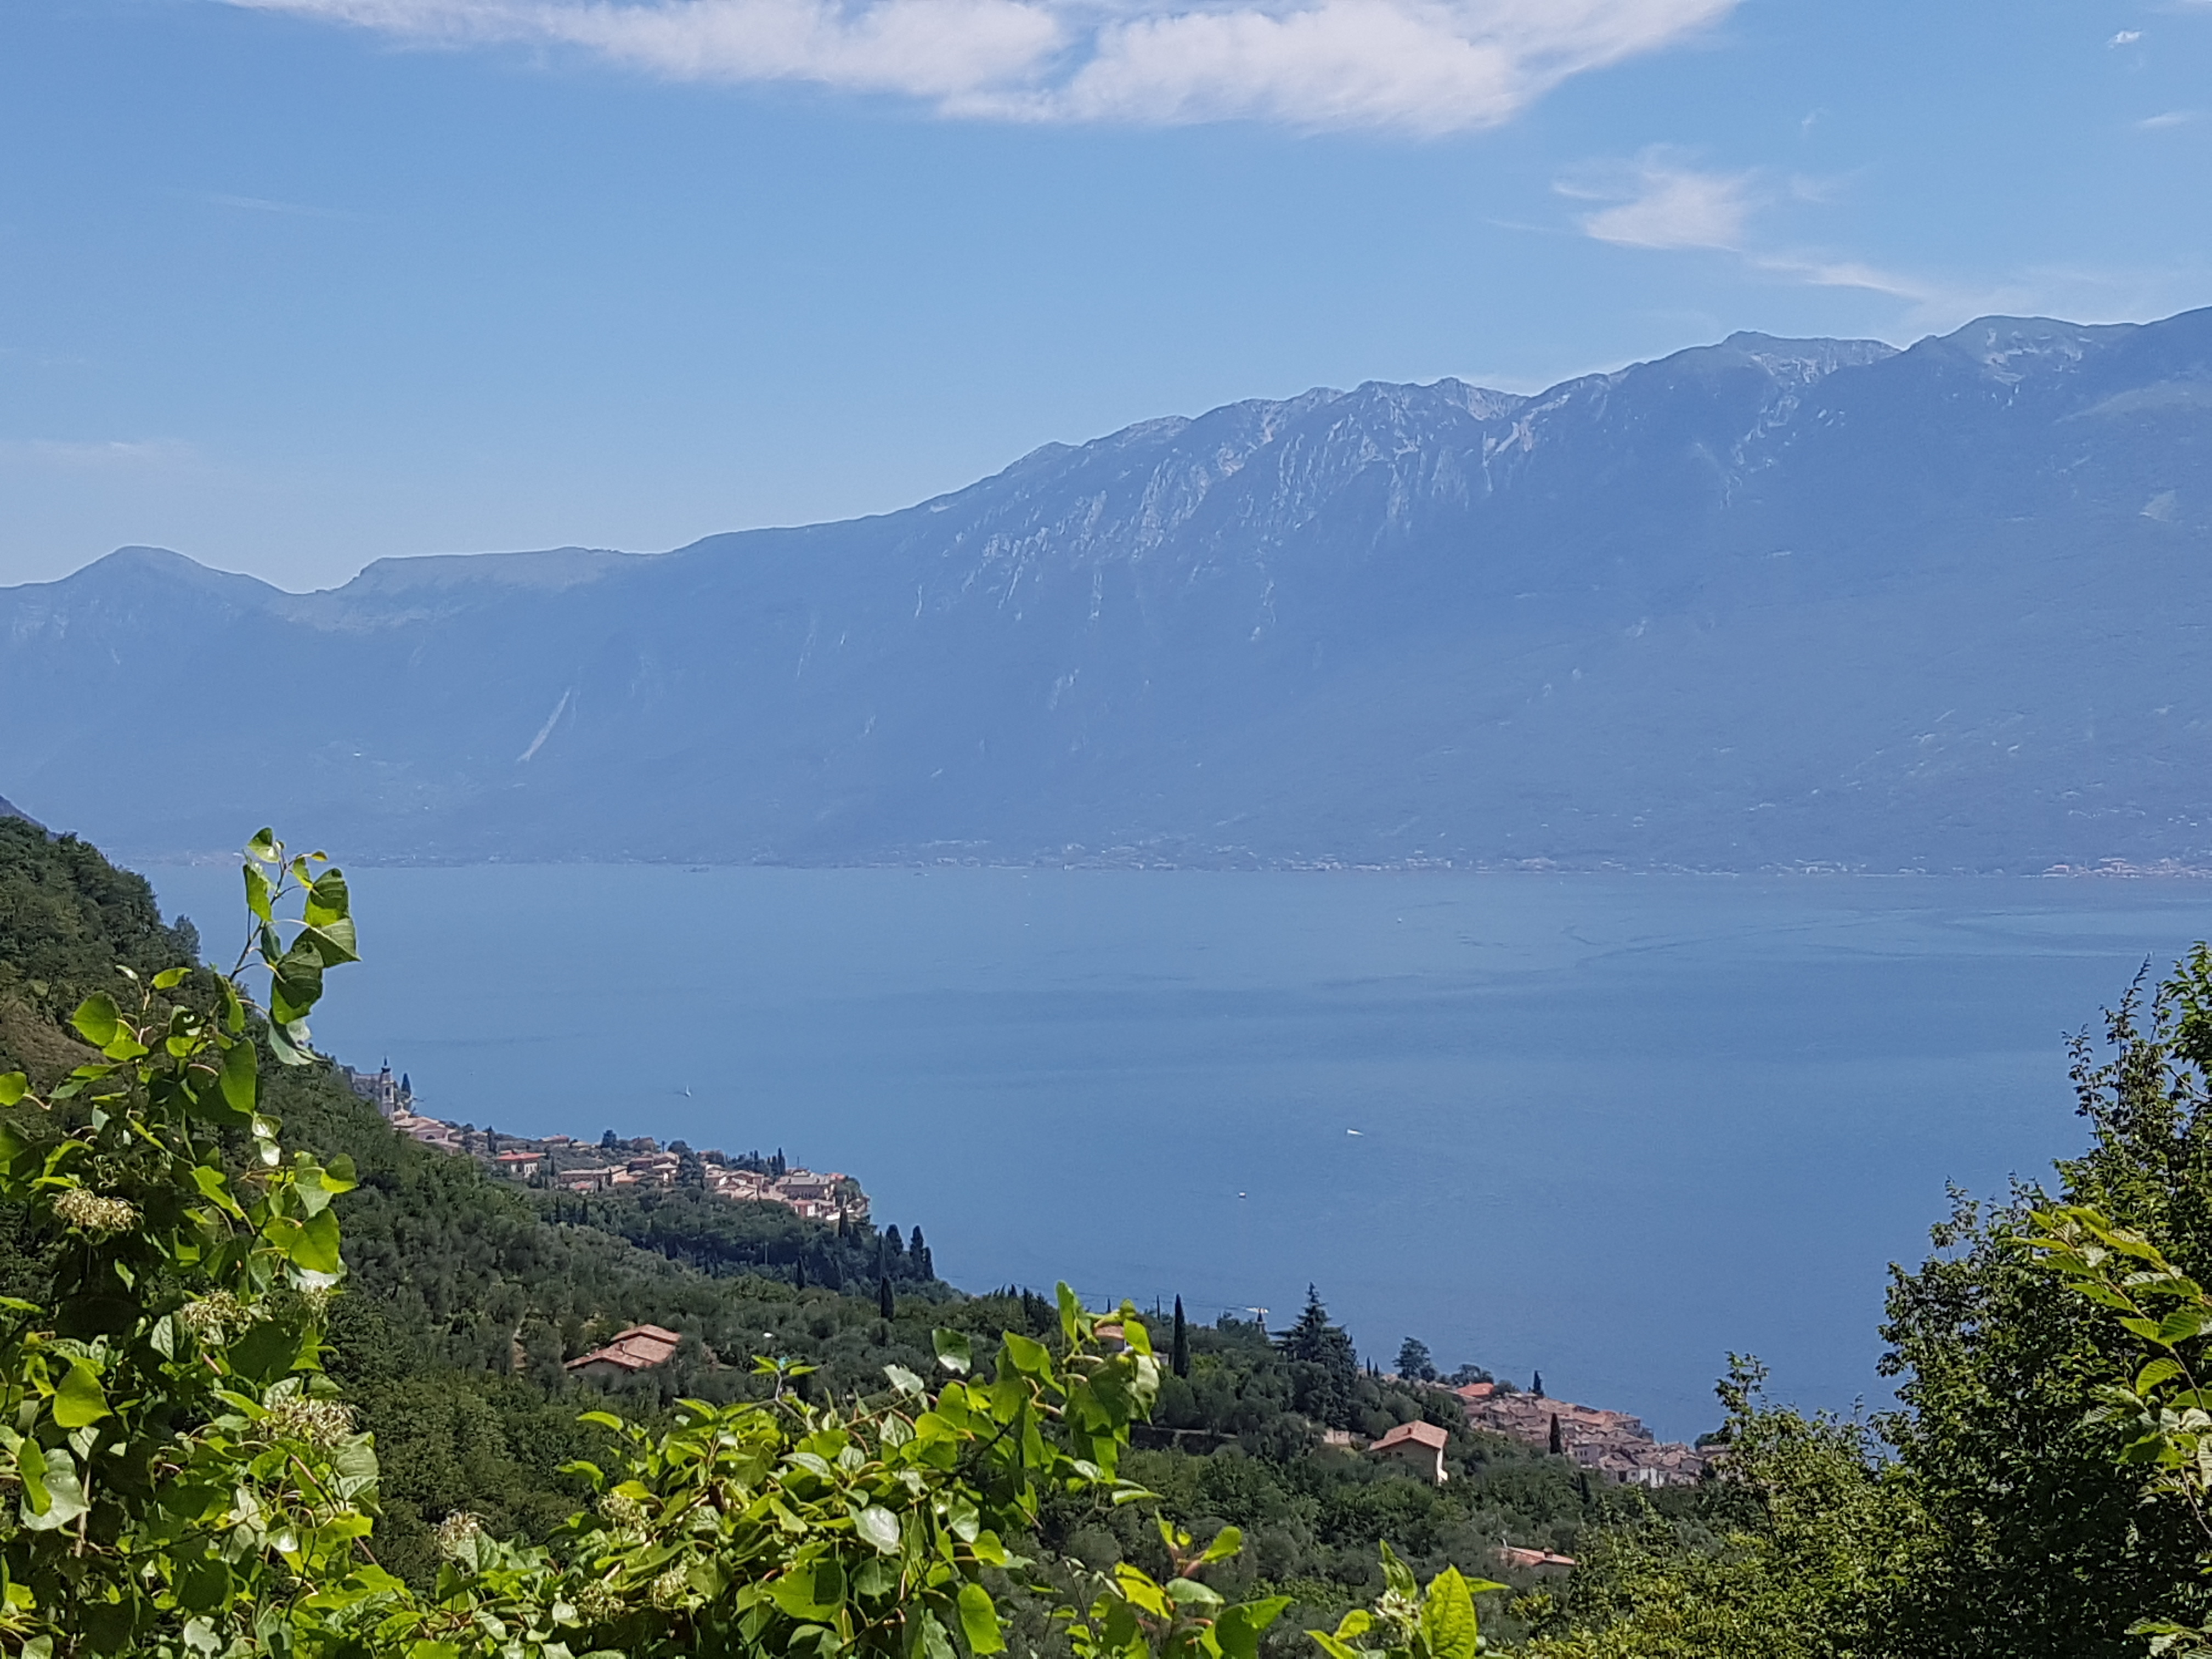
<point>1609,1129</point>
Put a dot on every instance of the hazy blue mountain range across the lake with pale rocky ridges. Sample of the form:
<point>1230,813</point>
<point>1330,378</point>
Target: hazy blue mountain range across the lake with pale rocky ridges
<point>1755,605</point>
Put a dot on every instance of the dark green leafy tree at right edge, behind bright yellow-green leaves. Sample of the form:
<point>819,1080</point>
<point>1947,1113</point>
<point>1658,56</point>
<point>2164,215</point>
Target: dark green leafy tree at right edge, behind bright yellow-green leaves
<point>2041,1543</point>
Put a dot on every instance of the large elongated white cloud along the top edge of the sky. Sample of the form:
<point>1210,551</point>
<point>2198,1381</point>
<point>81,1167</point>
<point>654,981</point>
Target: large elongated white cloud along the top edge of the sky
<point>1417,65</point>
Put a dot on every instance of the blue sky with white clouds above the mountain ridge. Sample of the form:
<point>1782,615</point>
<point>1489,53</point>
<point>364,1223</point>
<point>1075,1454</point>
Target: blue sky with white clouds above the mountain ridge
<point>298,284</point>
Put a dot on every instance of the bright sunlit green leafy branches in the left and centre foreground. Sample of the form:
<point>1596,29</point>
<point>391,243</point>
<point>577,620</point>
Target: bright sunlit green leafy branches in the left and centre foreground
<point>189,1483</point>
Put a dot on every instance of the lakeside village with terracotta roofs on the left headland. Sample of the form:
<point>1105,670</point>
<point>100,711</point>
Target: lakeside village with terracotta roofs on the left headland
<point>612,1165</point>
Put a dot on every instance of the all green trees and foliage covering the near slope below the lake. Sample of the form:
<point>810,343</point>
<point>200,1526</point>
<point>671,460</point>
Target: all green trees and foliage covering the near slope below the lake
<point>282,1379</point>
